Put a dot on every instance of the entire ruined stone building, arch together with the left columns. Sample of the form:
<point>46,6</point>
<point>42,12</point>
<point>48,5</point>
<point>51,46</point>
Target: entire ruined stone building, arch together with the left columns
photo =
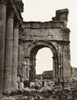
<point>20,42</point>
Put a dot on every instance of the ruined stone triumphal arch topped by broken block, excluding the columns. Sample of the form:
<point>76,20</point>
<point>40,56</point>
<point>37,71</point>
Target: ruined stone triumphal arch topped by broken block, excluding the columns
<point>54,35</point>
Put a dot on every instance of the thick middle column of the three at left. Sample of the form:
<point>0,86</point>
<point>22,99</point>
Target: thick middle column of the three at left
<point>8,53</point>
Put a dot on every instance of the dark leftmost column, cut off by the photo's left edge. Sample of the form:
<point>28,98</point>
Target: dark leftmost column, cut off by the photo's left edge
<point>2,42</point>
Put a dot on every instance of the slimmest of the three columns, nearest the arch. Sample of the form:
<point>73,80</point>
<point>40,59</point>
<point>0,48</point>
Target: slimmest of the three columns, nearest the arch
<point>15,57</point>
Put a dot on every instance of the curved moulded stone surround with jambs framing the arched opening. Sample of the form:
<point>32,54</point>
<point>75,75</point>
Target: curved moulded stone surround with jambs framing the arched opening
<point>30,56</point>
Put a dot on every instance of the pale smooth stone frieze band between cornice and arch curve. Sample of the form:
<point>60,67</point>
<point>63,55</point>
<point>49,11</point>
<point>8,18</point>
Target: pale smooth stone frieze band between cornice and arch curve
<point>45,34</point>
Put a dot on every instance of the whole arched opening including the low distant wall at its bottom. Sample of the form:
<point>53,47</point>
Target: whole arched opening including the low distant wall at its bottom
<point>44,64</point>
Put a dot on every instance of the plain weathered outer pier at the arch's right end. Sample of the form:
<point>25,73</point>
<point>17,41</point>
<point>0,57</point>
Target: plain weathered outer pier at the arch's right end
<point>66,63</point>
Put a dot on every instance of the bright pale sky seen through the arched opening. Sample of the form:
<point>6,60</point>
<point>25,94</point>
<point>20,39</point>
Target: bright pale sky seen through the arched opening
<point>44,60</point>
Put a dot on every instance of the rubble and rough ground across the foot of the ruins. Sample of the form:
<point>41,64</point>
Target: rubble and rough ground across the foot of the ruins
<point>47,91</point>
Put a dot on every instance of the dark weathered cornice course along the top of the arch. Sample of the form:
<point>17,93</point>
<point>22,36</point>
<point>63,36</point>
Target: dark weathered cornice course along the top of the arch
<point>43,25</point>
